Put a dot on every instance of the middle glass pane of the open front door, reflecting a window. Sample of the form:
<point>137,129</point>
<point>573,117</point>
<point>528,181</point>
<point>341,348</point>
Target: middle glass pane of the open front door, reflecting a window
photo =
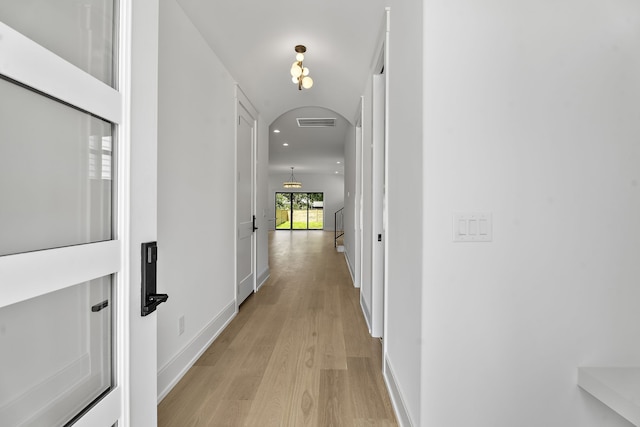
<point>56,173</point>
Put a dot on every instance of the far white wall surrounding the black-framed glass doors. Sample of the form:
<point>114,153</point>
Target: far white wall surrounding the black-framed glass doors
<point>332,185</point>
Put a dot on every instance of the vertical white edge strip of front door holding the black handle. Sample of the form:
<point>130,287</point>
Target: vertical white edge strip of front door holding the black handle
<point>141,400</point>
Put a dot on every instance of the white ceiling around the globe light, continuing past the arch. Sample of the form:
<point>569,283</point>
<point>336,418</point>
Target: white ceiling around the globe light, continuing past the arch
<point>255,39</point>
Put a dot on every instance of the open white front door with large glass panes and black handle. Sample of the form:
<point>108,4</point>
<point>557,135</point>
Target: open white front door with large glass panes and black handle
<point>66,219</point>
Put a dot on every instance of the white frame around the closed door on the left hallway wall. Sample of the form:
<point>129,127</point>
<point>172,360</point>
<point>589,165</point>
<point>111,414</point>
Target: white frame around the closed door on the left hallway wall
<point>243,103</point>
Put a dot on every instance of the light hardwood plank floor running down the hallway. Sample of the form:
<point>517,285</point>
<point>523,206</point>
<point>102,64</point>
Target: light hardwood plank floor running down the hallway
<point>297,354</point>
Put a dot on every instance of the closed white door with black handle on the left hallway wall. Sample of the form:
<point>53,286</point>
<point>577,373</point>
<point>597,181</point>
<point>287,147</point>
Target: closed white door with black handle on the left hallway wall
<point>245,211</point>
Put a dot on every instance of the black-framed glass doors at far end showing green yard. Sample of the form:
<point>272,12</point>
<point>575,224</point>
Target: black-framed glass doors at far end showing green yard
<point>299,211</point>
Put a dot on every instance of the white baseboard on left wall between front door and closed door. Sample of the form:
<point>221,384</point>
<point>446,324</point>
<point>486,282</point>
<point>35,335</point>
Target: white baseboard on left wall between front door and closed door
<point>177,367</point>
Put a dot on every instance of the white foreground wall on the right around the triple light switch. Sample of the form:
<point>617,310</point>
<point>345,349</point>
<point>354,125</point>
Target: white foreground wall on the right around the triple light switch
<point>531,111</point>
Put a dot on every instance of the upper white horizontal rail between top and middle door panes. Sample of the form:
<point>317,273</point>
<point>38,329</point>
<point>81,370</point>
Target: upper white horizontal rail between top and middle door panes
<point>23,60</point>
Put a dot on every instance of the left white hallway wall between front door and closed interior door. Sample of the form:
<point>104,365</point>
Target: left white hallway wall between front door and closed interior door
<point>195,199</point>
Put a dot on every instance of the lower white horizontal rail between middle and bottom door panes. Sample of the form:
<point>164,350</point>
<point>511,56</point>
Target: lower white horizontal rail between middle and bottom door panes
<point>31,274</point>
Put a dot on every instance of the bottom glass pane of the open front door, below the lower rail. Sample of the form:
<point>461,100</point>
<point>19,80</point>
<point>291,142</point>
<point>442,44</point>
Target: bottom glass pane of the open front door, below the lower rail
<point>57,350</point>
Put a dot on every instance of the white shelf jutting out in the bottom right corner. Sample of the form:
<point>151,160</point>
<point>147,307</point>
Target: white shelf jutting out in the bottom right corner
<point>618,388</point>
